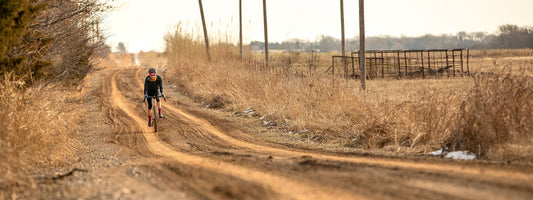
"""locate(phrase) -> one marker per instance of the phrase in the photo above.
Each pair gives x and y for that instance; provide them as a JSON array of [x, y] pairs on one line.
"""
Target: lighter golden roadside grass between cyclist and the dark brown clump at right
[[413, 111]]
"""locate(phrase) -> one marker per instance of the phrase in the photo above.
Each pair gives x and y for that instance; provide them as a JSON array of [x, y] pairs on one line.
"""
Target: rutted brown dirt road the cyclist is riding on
[[200, 155]]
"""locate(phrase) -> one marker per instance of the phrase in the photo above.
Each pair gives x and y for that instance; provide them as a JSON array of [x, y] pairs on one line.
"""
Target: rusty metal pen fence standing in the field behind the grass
[[404, 63]]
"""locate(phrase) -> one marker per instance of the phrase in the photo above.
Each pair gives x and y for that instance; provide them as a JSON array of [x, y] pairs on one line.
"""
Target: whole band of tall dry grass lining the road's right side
[[414, 115]]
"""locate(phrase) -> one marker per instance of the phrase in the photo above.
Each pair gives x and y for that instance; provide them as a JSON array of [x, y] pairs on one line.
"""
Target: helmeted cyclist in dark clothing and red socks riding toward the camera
[[153, 86]]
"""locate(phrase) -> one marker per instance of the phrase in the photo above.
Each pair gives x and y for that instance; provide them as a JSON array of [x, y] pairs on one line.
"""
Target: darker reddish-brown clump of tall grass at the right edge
[[496, 117]]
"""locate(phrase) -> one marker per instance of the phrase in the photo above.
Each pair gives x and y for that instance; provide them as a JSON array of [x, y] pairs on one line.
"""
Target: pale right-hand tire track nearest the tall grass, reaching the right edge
[[478, 171]]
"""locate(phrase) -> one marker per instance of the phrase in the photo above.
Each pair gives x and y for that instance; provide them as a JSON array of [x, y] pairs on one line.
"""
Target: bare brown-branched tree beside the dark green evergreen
[[74, 32]]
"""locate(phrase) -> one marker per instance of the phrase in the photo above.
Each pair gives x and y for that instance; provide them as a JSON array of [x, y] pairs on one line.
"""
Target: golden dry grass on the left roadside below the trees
[[36, 130]]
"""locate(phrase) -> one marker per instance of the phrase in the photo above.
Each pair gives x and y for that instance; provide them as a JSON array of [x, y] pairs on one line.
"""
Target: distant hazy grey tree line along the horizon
[[506, 37]]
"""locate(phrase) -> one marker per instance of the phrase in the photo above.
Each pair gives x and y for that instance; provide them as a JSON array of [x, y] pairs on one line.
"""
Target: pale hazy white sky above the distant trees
[[142, 23]]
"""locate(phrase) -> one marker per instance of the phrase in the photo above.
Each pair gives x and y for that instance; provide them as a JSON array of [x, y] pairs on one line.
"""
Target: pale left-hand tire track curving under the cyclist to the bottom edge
[[284, 186]]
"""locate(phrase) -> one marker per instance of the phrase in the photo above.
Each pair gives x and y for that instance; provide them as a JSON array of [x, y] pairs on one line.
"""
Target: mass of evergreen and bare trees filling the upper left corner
[[50, 39]]
